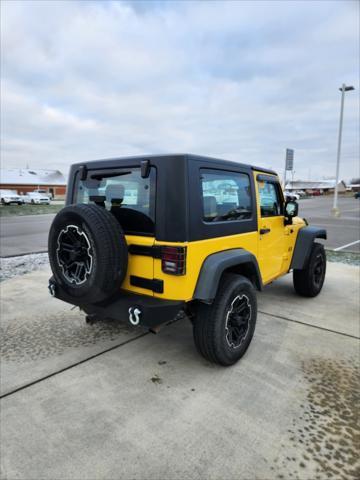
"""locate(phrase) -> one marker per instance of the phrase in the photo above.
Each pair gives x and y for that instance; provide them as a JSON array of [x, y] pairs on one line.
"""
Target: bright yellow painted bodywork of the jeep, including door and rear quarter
[[273, 252]]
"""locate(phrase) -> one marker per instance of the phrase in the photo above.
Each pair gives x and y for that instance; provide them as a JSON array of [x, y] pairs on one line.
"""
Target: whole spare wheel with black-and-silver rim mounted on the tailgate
[[87, 252]]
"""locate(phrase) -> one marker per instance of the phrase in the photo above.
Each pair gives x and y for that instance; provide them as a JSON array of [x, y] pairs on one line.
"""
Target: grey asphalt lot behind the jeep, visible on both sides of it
[[28, 234]]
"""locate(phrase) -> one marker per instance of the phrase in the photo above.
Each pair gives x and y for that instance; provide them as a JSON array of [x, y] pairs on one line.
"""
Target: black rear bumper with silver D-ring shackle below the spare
[[136, 310]]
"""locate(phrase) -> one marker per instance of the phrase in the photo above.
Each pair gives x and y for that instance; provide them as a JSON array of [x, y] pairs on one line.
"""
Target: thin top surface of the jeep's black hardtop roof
[[166, 156]]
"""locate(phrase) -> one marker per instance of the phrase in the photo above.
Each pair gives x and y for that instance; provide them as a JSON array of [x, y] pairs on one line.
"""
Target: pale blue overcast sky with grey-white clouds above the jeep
[[234, 79]]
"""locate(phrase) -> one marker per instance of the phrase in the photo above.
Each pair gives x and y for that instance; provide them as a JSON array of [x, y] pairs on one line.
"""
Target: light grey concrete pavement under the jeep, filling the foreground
[[107, 402]]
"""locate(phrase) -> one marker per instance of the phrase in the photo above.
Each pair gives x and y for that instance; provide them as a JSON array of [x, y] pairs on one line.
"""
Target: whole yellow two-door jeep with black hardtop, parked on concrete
[[142, 239]]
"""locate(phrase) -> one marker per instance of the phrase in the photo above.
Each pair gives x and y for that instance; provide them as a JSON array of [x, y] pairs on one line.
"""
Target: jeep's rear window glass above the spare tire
[[128, 196]]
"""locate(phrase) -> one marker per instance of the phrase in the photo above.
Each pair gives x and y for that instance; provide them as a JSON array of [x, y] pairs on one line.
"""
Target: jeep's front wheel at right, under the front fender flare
[[309, 281]]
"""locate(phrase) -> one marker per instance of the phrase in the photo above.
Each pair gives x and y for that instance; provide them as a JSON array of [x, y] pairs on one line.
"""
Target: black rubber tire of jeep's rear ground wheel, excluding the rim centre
[[209, 326]]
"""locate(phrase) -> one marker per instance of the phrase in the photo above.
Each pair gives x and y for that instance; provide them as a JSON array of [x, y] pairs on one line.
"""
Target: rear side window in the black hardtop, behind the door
[[226, 196]]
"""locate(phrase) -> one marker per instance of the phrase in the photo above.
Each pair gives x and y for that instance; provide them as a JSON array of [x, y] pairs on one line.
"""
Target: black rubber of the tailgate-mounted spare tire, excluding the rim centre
[[107, 246]]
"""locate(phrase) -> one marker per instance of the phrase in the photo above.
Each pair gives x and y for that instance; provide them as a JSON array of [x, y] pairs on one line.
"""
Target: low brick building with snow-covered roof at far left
[[24, 180]]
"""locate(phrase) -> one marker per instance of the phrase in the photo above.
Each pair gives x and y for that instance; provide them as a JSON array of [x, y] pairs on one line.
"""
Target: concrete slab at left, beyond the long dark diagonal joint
[[42, 335]]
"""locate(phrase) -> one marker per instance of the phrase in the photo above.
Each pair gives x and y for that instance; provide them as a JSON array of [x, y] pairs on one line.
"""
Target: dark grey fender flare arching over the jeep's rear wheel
[[215, 265]]
